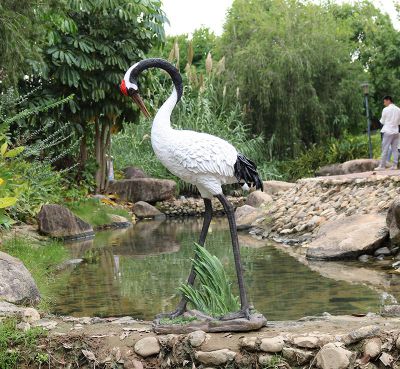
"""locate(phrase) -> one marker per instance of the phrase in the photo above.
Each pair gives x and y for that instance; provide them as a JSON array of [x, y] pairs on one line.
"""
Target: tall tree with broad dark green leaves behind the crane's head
[[90, 46]]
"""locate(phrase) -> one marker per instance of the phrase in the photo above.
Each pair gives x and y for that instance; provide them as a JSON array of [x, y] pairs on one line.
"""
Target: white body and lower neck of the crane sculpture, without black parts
[[201, 159]]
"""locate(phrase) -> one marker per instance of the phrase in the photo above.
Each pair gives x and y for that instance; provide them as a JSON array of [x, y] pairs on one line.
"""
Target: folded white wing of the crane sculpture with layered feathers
[[201, 153]]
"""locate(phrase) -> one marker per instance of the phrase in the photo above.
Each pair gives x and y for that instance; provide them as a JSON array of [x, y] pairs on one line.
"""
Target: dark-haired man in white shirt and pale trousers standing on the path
[[391, 121]]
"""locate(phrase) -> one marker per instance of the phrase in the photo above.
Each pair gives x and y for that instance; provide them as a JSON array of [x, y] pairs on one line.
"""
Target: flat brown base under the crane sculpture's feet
[[208, 324]]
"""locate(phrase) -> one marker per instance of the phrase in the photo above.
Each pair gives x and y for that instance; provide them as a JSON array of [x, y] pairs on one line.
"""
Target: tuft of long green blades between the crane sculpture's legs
[[214, 295]]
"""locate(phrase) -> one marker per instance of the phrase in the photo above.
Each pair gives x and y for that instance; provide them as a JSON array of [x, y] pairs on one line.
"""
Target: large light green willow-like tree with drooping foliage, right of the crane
[[292, 64]]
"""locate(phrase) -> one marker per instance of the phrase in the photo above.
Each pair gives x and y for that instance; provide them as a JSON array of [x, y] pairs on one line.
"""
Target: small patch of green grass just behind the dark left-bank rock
[[94, 212]]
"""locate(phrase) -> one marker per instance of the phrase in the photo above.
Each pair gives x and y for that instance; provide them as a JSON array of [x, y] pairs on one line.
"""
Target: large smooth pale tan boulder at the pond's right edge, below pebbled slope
[[348, 237]]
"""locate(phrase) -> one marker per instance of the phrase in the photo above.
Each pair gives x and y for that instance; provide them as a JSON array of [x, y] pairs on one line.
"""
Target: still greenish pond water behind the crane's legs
[[136, 272]]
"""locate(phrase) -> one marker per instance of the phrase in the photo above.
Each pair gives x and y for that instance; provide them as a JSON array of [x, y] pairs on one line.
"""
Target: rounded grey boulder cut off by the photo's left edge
[[16, 283]]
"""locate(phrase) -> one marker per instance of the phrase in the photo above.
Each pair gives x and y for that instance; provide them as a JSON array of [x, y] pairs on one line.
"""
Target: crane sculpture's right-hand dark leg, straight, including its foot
[[244, 305]]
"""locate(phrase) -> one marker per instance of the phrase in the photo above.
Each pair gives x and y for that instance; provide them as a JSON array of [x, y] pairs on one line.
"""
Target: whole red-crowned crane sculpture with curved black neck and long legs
[[201, 159]]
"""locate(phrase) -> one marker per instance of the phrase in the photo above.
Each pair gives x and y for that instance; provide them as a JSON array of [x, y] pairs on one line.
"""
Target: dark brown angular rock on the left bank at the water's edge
[[59, 222]]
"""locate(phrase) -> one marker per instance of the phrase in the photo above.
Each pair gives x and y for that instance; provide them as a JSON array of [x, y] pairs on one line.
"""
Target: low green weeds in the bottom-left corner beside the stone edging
[[19, 348]]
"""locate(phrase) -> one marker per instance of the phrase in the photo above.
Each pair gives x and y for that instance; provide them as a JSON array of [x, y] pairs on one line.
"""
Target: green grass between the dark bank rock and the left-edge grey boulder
[[40, 260]]
